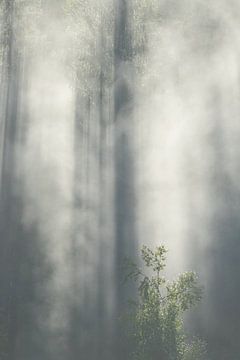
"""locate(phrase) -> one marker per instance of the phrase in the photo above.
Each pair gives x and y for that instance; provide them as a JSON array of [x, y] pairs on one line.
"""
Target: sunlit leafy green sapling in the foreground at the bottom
[[155, 322]]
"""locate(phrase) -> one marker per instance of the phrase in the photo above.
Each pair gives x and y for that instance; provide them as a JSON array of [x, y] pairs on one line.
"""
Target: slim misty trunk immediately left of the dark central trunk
[[105, 231]]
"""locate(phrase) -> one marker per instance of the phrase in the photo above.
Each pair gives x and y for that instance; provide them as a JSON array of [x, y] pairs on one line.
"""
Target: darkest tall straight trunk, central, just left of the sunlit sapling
[[124, 148]]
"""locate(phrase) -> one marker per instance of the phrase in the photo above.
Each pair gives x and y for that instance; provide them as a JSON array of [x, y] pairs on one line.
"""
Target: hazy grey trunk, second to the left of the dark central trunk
[[79, 314]]
